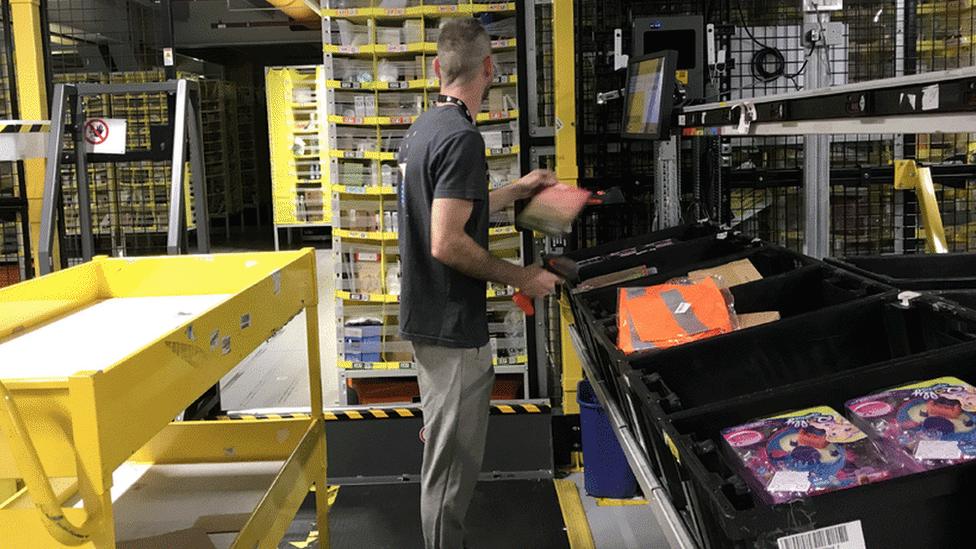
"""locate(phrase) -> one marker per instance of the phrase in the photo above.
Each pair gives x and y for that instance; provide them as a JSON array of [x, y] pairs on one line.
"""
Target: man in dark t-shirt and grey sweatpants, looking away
[[444, 214]]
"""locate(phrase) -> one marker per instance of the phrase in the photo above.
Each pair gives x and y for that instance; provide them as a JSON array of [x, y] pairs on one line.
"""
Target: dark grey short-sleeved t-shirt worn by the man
[[442, 156]]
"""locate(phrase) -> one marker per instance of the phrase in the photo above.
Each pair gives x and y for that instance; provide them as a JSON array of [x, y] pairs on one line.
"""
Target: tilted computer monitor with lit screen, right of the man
[[649, 96]]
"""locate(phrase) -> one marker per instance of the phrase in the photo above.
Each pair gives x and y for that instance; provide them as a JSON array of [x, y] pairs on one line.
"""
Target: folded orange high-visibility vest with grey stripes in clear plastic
[[667, 315]]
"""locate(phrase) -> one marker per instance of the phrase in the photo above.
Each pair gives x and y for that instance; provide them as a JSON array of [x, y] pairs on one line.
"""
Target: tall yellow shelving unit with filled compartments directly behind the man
[[379, 78]]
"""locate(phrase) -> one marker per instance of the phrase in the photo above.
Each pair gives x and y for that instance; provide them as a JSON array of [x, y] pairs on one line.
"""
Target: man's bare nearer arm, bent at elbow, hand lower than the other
[[450, 245]]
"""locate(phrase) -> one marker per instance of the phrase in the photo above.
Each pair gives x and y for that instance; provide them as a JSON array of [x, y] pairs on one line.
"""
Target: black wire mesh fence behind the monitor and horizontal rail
[[763, 184]]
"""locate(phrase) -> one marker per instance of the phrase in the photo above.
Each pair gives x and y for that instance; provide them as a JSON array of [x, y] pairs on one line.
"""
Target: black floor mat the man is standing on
[[503, 514]]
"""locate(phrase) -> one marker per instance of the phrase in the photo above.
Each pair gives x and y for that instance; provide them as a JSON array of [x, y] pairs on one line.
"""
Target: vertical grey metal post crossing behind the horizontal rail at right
[[816, 156]]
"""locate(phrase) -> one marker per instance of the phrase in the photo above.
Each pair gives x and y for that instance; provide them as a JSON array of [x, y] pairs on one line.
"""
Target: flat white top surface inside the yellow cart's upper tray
[[99, 335]]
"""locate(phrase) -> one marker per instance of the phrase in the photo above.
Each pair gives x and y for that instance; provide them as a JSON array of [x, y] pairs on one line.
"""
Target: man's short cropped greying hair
[[462, 47]]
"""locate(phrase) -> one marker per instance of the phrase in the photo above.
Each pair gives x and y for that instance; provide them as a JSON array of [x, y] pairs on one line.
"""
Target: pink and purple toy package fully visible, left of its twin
[[803, 454]]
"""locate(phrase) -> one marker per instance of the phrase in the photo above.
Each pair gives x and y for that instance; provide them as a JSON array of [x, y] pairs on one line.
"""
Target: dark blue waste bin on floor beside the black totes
[[606, 473]]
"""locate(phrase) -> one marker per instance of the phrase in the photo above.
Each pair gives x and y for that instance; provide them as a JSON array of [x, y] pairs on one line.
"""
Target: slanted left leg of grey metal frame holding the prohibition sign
[[52, 180]]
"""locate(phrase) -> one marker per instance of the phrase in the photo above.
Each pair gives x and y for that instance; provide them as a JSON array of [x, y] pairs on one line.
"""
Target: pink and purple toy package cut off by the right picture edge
[[926, 425]]
